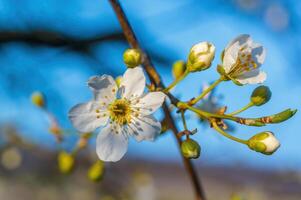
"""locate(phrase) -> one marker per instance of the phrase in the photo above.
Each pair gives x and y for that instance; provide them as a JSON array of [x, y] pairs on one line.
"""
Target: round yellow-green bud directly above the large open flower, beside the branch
[[132, 57]]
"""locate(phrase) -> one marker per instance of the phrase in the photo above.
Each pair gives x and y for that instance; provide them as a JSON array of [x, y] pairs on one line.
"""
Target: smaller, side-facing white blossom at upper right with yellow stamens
[[242, 59]]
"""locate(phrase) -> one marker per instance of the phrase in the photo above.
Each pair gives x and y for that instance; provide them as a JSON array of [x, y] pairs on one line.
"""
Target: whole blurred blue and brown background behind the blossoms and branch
[[54, 46]]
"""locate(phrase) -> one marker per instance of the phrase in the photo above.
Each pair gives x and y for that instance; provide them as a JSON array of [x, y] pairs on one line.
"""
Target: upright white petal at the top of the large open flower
[[133, 83]]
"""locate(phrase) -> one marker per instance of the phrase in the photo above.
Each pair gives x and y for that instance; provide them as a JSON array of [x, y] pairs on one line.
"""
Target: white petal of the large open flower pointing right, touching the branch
[[150, 102]]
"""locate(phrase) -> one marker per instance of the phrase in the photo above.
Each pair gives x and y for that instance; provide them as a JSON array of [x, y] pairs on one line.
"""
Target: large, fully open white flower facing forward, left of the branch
[[121, 112]]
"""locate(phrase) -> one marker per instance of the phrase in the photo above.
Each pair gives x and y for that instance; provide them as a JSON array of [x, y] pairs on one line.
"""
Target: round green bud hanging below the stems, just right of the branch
[[190, 149]]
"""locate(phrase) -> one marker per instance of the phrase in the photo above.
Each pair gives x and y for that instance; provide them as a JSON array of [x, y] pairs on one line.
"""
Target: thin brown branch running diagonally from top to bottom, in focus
[[155, 79]]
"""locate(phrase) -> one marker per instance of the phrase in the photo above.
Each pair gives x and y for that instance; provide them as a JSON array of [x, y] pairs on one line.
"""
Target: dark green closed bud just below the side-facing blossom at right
[[261, 95]]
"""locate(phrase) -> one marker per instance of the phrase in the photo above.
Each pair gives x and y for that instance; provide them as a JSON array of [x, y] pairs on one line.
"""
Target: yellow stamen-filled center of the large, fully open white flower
[[120, 111]]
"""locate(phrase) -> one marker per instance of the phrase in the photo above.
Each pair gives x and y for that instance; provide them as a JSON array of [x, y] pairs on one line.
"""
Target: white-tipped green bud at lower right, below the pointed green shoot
[[264, 142]]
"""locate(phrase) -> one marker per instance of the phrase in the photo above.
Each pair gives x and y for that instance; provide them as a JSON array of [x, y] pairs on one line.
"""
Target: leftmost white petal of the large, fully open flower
[[84, 117]]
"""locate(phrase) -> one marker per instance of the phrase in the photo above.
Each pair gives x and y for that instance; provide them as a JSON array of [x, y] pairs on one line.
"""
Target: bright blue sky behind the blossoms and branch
[[167, 28]]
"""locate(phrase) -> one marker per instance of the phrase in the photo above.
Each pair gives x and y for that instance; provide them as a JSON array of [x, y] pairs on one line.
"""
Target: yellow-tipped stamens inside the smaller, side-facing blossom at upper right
[[244, 62]]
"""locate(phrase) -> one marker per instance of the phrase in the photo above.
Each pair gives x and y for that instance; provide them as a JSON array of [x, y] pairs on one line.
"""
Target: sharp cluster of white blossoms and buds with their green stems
[[122, 109]]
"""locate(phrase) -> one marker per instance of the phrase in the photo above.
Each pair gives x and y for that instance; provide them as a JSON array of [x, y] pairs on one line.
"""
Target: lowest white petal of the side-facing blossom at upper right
[[252, 77]]
